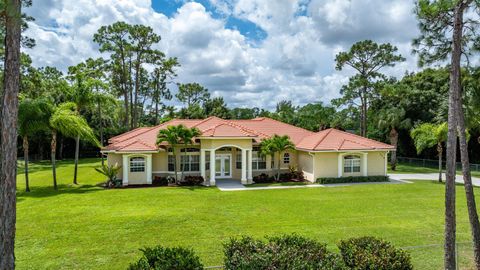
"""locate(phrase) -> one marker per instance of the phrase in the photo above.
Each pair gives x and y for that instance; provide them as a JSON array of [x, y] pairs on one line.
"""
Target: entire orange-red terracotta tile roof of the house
[[144, 139]]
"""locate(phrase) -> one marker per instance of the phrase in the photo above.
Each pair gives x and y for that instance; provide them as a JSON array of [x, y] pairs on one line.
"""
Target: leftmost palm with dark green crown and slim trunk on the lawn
[[32, 118]]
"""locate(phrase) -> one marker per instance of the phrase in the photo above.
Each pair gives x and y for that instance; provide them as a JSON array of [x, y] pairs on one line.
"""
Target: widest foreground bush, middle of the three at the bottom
[[284, 252]]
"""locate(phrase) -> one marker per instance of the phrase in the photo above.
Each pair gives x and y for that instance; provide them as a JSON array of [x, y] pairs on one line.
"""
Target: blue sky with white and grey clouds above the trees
[[251, 52]]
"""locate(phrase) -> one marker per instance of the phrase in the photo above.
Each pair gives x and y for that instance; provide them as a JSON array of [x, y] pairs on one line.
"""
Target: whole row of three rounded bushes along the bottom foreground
[[283, 253]]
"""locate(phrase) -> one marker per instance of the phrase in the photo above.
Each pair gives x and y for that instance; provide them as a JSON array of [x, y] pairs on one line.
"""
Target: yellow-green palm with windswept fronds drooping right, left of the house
[[66, 120]]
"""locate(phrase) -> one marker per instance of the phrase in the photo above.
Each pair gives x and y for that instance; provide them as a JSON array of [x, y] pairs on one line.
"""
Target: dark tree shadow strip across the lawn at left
[[44, 191]]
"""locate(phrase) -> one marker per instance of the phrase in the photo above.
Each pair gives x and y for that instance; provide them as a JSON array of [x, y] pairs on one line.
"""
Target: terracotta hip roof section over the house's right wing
[[336, 140]]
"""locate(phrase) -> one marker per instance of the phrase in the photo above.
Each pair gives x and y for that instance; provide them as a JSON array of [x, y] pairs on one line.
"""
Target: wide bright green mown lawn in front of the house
[[87, 227]]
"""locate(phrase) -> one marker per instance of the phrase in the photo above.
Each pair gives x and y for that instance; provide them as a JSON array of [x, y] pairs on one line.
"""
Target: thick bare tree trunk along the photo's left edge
[[8, 128]]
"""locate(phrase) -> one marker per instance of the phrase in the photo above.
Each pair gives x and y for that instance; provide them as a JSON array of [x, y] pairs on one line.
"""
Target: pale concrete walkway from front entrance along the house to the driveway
[[235, 185]]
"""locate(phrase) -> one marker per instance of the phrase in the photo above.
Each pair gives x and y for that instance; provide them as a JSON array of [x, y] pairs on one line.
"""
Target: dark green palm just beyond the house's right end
[[393, 118]]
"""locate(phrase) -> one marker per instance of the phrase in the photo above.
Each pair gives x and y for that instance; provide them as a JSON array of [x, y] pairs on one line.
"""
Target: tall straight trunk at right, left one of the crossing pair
[[450, 219]]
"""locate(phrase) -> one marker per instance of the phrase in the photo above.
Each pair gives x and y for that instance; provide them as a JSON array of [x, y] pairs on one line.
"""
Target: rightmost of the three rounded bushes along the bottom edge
[[372, 253]]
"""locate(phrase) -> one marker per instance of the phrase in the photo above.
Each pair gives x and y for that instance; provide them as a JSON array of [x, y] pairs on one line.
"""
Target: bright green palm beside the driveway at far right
[[428, 135]]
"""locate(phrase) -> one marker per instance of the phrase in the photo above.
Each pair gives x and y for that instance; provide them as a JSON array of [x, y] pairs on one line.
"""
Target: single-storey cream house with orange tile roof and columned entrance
[[233, 145]]
